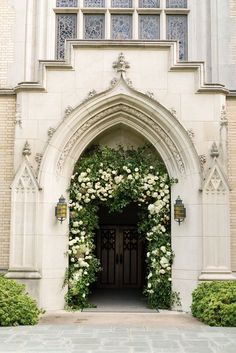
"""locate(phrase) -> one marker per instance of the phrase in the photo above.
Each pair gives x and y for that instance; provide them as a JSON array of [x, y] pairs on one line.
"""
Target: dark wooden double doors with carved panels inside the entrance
[[120, 252]]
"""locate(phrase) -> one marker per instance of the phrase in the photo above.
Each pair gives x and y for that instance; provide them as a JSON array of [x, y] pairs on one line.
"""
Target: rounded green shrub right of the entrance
[[214, 303]]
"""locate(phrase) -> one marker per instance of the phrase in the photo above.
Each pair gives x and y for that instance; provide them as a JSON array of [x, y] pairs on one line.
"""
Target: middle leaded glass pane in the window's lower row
[[121, 26]]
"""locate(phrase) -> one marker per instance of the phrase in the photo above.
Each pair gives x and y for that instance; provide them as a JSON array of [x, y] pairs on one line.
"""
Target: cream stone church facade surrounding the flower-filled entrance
[[115, 92]]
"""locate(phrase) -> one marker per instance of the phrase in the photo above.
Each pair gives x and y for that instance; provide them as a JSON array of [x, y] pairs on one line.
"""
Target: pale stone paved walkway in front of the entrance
[[118, 333]]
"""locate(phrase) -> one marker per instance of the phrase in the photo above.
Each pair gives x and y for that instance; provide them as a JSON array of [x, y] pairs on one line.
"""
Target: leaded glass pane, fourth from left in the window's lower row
[[149, 27]]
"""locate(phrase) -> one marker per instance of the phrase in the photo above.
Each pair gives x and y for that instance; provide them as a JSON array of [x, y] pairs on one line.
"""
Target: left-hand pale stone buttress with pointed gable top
[[25, 192]]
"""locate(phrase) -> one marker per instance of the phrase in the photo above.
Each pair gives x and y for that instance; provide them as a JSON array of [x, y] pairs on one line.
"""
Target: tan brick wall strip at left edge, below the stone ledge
[[7, 114]]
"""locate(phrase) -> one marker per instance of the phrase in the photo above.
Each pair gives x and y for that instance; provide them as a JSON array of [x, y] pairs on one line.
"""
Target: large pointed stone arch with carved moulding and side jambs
[[121, 104]]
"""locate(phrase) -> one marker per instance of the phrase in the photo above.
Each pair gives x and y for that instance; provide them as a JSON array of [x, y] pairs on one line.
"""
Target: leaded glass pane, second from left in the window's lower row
[[94, 26]]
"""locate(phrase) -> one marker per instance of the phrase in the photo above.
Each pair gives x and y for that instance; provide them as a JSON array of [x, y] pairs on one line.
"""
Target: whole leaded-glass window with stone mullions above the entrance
[[146, 23]]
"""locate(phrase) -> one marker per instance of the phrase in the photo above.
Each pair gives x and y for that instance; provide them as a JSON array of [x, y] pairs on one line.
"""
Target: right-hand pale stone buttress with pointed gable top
[[216, 225]]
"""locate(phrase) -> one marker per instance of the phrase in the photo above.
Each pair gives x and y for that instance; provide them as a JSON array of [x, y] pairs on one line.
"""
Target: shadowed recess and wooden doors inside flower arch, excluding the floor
[[120, 249]]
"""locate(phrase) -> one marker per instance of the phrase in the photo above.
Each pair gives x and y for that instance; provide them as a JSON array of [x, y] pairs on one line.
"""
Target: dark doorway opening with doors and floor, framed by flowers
[[121, 251]]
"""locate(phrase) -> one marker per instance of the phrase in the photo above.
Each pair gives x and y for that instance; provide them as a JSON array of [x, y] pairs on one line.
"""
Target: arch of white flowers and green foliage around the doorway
[[117, 177]]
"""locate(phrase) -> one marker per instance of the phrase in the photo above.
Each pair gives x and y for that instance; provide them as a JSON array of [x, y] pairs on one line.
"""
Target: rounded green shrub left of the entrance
[[16, 306]]
